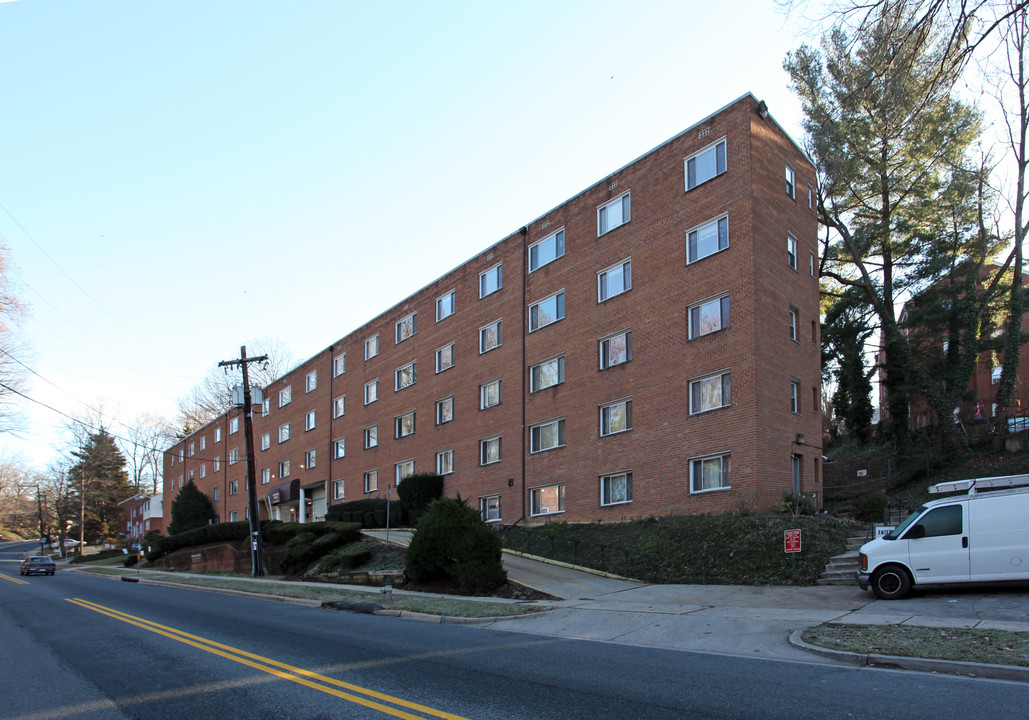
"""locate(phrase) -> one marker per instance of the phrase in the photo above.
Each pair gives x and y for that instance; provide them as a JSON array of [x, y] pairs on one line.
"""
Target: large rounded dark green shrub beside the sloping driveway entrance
[[452, 542]]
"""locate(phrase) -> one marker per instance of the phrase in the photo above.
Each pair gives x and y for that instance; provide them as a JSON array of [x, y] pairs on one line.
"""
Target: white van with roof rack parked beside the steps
[[978, 537]]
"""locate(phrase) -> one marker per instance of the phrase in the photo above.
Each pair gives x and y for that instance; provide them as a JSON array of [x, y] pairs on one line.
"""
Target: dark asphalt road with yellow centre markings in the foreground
[[78, 646]]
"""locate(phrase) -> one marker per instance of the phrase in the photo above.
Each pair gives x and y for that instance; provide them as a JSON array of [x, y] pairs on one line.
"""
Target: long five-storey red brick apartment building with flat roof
[[650, 347]]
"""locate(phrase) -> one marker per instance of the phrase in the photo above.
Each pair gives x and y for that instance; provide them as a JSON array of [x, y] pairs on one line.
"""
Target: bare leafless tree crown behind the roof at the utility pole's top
[[214, 395]]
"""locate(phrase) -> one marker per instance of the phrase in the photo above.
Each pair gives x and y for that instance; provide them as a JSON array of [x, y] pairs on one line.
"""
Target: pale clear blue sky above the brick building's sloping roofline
[[180, 178]]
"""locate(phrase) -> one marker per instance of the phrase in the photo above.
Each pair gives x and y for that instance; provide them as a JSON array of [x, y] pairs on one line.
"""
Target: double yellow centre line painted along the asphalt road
[[332, 687]]
